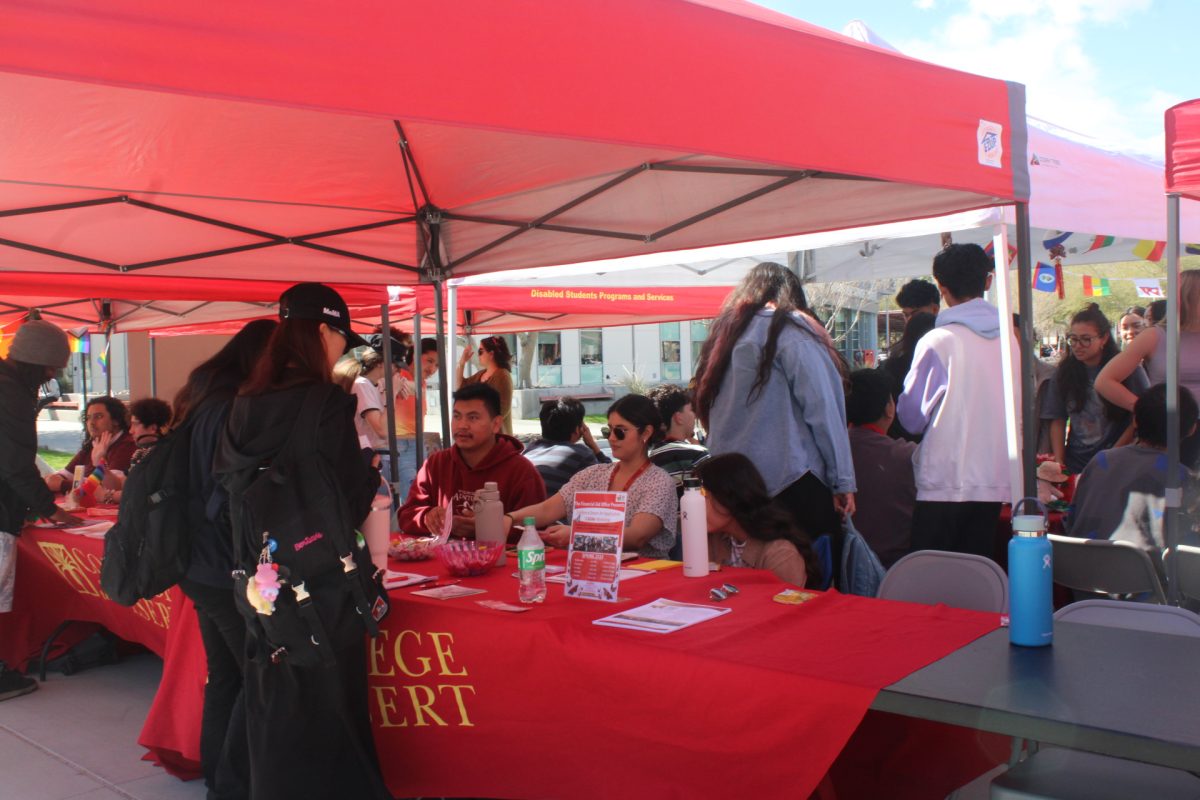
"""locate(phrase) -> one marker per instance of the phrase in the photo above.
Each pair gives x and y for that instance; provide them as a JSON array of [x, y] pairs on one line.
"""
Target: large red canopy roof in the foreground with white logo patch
[[344, 142]]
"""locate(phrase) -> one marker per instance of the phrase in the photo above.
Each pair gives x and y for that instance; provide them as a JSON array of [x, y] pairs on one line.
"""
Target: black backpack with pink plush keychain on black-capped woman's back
[[293, 516]]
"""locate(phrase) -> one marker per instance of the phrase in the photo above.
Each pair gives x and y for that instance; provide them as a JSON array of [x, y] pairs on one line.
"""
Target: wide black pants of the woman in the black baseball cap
[[310, 727]]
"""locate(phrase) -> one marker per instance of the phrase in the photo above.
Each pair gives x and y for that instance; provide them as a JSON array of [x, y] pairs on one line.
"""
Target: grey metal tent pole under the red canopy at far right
[[1174, 480]]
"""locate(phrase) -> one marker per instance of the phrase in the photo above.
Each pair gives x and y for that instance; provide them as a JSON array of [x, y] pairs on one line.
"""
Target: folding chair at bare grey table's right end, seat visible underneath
[[1063, 774]]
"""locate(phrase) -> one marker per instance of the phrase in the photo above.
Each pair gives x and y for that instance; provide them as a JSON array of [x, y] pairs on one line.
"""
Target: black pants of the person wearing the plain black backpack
[[225, 757]]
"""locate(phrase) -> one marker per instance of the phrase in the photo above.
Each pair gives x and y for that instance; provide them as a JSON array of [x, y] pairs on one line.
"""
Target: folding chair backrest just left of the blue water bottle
[[958, 580]]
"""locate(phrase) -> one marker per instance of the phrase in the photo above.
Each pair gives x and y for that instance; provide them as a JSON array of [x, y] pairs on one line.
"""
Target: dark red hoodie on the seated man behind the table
[[446, 476]]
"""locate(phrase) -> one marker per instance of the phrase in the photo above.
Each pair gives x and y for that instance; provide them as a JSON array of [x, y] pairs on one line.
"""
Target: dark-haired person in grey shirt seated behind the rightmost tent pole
[[1120, 496]]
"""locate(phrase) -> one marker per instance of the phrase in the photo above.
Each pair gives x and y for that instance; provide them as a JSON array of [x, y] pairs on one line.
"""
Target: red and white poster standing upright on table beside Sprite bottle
[[598, 531]]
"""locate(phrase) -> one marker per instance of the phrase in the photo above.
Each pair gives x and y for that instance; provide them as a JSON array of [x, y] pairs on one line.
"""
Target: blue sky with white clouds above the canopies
[[1105, 69]]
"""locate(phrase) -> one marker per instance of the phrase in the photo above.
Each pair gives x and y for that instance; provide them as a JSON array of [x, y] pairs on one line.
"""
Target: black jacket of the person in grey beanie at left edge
[[22, 489]]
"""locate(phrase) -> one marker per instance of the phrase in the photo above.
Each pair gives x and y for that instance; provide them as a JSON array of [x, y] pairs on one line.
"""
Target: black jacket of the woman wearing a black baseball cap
[[260, 426]]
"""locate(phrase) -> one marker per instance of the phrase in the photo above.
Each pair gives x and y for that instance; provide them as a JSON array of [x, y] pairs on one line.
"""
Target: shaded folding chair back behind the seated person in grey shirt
[[1106, 568]]
